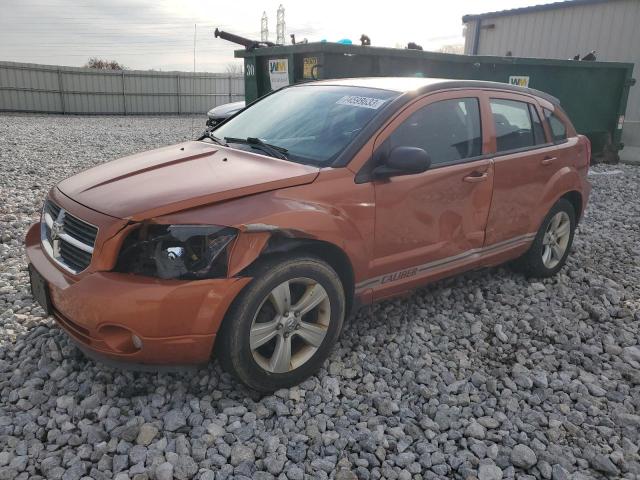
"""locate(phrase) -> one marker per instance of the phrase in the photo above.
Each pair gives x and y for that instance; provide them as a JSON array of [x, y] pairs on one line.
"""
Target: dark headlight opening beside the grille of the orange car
[[176, 251]]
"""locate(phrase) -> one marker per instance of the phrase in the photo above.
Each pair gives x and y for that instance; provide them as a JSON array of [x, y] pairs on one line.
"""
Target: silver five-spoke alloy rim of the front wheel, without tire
[[290, 325]]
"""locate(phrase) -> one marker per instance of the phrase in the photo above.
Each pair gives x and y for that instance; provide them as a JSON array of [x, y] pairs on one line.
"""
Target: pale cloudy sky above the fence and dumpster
[[159, 34]]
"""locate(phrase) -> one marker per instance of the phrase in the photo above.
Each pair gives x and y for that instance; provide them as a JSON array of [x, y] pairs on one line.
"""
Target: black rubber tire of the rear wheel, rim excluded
[[531, 263]]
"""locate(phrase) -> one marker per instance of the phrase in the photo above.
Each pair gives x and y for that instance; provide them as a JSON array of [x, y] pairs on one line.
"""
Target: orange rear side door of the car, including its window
[[525, 161]]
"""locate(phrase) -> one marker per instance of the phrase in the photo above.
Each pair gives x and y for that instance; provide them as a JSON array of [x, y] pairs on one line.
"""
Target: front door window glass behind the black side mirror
[[448, 130]]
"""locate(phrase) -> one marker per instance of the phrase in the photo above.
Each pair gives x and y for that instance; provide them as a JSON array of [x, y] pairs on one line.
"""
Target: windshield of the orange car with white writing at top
[[314, 123]]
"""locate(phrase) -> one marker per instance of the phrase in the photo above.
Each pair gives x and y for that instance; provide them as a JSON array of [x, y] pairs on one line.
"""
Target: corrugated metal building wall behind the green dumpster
[[611, 28]]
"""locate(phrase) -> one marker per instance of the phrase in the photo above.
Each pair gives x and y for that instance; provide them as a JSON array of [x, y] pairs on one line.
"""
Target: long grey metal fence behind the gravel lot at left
[[27, 87]]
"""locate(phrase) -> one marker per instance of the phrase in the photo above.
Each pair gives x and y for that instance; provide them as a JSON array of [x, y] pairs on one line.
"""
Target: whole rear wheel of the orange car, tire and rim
[[550, 249]]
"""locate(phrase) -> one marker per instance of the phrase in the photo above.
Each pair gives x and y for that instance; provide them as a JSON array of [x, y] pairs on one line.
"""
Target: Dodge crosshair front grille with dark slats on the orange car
[[66, 238]]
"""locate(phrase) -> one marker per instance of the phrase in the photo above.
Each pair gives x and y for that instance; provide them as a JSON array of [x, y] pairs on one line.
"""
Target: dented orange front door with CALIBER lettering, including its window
[[432, 222]]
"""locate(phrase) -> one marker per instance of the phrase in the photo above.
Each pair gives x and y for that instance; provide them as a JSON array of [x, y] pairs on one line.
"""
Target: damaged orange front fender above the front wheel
[[333, 210]]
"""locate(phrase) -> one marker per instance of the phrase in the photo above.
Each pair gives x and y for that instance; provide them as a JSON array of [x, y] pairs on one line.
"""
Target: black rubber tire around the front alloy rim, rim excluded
[[233, 344]]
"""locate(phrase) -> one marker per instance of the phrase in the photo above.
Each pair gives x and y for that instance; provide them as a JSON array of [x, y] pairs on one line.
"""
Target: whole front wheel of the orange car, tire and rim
[[282, 327]]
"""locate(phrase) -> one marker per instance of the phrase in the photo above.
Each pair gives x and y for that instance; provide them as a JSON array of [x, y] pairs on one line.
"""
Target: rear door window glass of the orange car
[[513, 124]]
